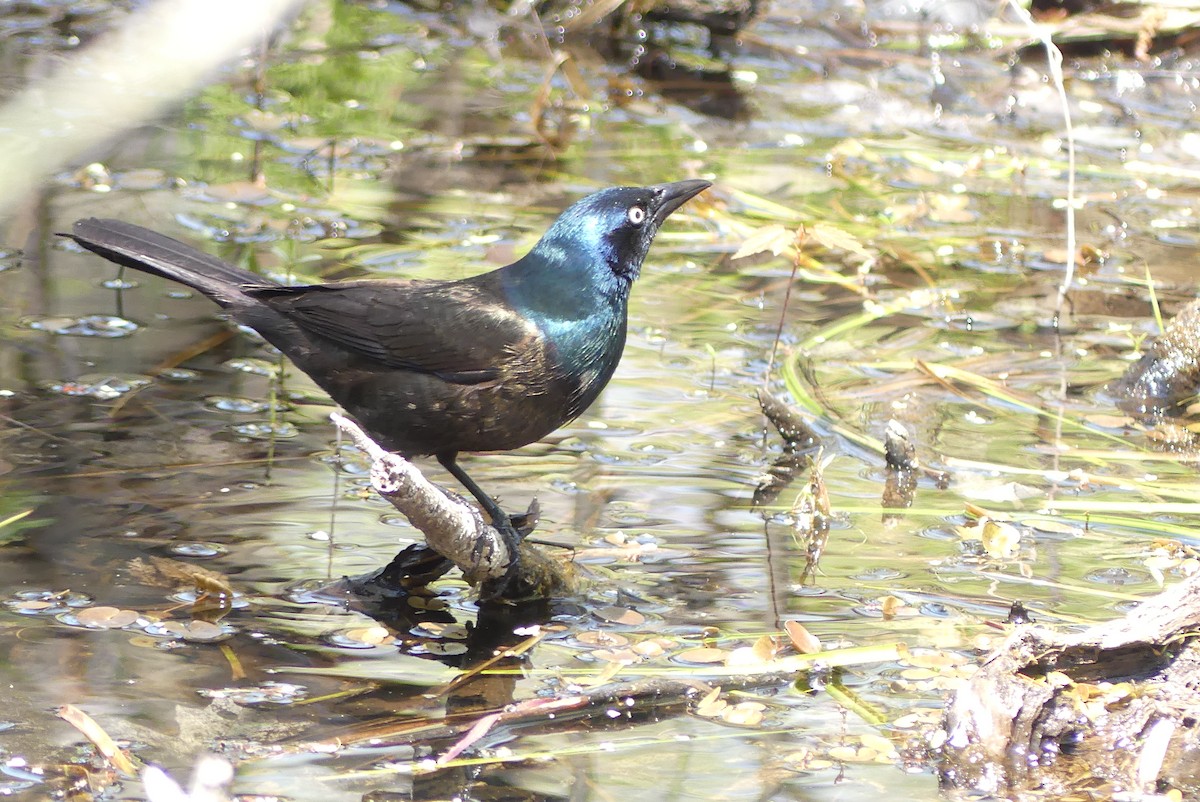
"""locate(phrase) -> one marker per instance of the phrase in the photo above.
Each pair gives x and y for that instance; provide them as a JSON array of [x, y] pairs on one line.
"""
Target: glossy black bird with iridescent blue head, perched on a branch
[[435, 368]]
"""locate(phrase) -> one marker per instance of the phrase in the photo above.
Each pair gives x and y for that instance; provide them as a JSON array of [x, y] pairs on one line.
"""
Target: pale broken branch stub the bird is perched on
[[452, 526]]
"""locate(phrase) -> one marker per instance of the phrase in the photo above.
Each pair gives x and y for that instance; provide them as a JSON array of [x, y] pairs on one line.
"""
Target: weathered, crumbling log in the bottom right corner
[[1112, 710]]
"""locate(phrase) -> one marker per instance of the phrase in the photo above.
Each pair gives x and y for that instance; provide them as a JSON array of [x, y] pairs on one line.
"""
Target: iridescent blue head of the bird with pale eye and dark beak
[[614, 229]]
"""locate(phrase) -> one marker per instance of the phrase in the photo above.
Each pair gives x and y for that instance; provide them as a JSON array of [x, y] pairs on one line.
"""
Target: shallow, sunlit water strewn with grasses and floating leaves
[[140, 427]]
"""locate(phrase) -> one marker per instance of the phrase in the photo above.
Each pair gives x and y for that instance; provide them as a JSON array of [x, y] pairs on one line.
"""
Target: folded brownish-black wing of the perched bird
[[451, 331]]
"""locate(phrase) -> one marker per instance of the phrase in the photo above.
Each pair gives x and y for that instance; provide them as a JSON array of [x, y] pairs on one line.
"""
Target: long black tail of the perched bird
[[142, 249]]
